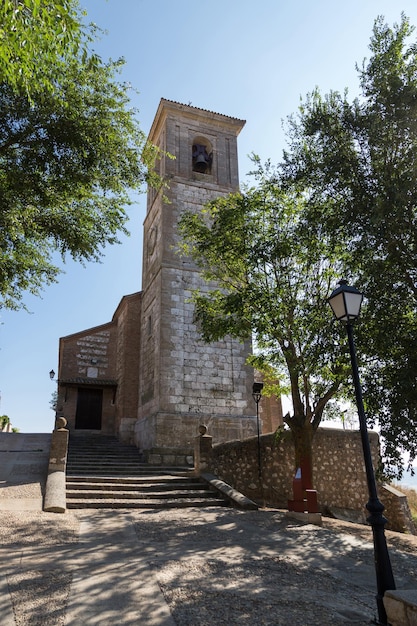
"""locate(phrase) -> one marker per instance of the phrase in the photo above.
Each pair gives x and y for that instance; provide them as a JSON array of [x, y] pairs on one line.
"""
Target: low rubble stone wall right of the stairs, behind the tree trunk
[[338, 473]]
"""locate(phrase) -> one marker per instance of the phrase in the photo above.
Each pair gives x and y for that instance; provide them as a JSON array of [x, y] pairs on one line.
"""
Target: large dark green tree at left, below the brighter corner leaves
[[69, 158]]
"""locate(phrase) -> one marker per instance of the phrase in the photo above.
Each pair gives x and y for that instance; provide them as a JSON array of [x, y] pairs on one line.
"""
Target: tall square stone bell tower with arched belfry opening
[[185, 382]]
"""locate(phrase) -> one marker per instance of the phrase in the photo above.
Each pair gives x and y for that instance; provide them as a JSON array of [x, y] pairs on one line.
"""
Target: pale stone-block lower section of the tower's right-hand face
[[199, 378]]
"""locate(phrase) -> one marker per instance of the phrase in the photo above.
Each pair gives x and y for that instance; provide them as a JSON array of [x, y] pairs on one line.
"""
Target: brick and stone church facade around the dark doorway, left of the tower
[[104, 357]]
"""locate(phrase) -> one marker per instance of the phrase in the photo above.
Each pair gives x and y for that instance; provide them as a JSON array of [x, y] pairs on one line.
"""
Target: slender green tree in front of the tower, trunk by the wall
[[269, 278]]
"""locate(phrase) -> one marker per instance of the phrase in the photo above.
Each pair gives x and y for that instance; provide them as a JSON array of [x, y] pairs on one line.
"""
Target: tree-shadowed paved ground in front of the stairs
[[199, 567]]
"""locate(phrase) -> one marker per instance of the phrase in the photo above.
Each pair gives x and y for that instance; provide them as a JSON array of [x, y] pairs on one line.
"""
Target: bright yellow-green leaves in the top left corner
[[36, 37]]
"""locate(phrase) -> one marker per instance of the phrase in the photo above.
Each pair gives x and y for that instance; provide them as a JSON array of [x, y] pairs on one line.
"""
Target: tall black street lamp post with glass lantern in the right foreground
[[345, 302]]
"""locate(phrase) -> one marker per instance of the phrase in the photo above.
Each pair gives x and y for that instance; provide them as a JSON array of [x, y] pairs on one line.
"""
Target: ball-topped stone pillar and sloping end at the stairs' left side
[[55, 498]]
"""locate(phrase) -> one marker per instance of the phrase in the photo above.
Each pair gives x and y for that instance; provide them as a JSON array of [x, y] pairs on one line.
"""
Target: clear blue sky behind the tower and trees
[[248, 59]]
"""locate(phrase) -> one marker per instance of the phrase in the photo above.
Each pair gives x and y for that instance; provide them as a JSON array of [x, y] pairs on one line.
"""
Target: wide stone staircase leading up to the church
[[103, 473]]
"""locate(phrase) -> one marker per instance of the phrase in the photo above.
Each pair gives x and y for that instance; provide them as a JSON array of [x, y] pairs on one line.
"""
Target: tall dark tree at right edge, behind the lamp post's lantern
[[358, 161]]
